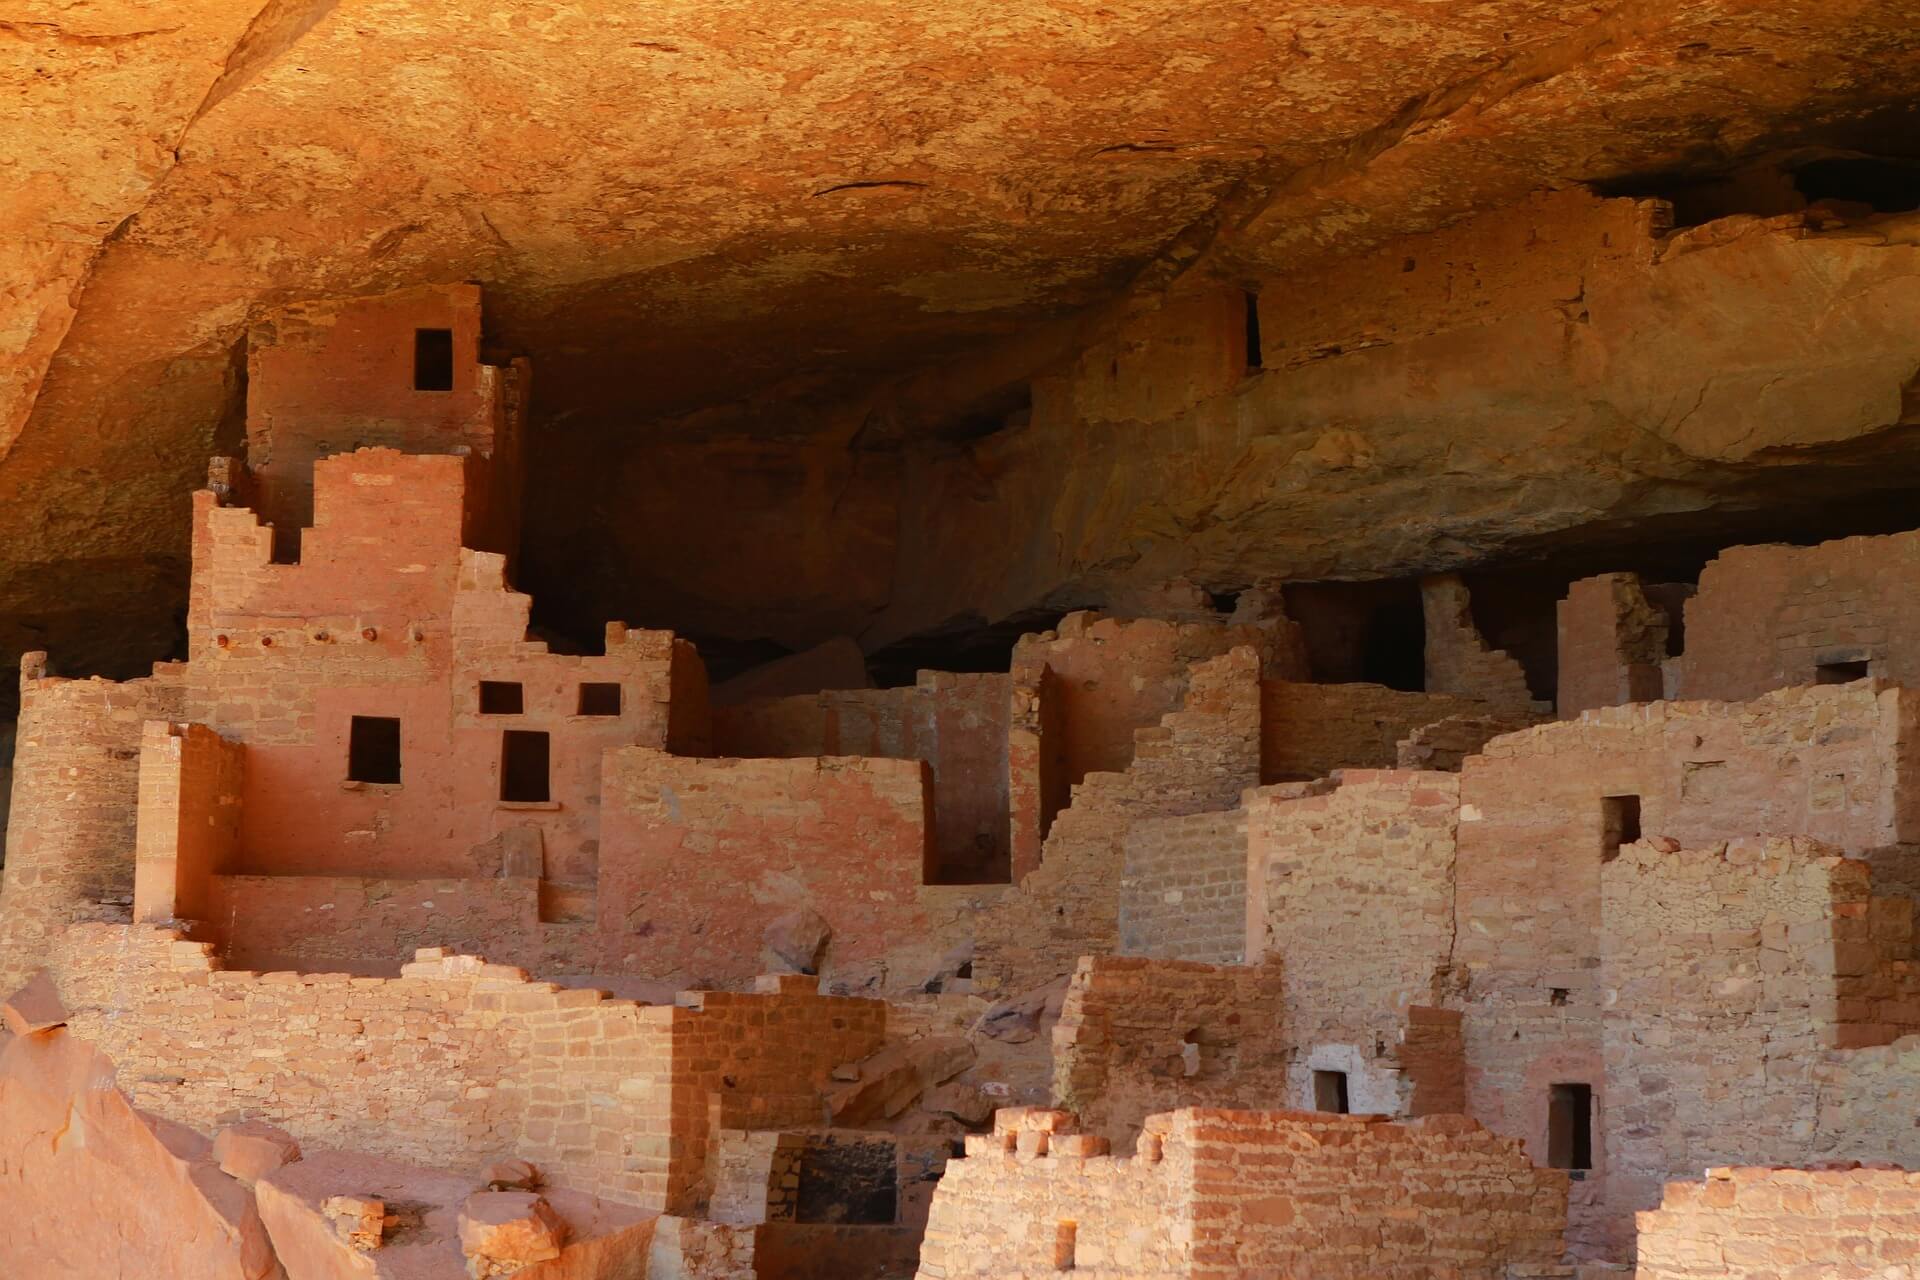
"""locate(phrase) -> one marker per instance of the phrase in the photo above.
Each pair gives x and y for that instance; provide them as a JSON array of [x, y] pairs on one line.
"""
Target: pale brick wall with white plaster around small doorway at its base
[[1351, 889]]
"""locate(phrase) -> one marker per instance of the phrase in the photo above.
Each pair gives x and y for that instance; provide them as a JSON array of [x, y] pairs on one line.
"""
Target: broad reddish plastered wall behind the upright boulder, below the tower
[[702, 855]]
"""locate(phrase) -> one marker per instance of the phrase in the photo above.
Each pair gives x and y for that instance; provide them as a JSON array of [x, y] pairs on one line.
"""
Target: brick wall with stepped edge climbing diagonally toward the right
[[1197, 761]]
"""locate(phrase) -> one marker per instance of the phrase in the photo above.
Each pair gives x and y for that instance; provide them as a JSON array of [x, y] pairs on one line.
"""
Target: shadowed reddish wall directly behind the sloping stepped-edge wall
[[1113, 678]]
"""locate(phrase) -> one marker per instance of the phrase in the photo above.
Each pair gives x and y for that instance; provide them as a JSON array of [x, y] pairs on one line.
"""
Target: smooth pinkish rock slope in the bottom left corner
[[95, 1189]]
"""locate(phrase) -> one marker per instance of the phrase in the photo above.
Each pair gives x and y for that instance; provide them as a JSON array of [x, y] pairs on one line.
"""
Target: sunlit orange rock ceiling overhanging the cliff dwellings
[[679, 206]]
